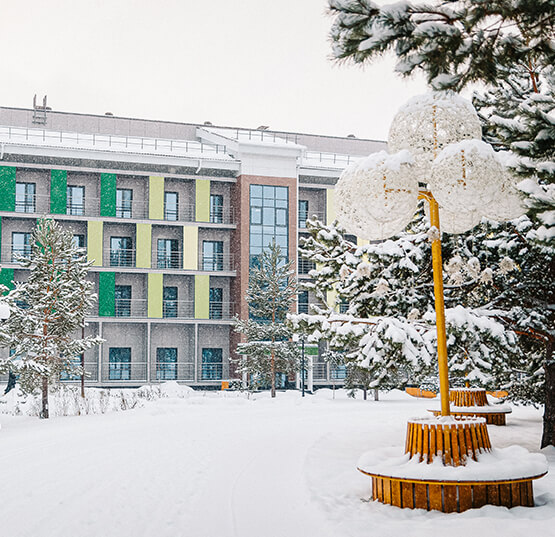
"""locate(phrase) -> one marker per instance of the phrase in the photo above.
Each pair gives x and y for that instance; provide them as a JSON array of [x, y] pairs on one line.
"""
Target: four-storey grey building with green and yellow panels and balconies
[[171, 216]]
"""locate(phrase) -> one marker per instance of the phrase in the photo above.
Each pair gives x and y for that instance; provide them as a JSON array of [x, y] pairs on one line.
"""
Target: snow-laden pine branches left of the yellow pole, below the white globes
[[381, 284]]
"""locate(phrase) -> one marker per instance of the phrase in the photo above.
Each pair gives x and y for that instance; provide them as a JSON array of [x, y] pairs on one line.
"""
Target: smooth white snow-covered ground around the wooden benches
[[219, 464]]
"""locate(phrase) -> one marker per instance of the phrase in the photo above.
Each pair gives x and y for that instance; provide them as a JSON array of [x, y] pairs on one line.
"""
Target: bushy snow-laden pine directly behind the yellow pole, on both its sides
[[389, 328]]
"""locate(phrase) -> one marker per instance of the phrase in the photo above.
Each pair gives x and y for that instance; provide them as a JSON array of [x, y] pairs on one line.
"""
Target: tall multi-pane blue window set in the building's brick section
[[269, 206]]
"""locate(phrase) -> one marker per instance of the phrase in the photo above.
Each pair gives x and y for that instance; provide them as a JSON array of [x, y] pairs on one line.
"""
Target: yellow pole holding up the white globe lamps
[[440, 307]]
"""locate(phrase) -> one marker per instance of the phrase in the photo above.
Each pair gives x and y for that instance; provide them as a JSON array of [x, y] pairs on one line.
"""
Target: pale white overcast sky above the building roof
[[232, 62]]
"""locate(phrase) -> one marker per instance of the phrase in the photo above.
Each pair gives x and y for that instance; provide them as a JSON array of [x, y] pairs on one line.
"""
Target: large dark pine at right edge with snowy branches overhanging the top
[[507, 46]]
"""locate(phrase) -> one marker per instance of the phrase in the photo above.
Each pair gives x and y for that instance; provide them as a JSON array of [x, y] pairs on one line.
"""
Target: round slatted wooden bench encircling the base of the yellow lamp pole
[[455, 441]]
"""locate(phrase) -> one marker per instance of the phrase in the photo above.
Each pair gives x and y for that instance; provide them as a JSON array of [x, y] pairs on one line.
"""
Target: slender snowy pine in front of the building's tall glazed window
[[269, 348]]
